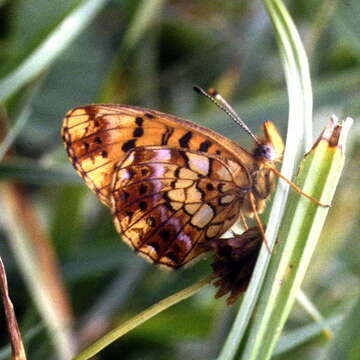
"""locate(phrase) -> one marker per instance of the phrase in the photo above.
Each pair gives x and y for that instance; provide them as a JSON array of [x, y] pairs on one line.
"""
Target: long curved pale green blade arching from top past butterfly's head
[[300, 115]]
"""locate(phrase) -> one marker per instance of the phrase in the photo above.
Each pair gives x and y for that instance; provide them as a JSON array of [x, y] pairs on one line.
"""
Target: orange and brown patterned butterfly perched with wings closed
[[171, 184]]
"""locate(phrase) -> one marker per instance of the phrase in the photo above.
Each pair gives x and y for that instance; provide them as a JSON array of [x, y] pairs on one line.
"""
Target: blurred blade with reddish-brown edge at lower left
[[18, 216]]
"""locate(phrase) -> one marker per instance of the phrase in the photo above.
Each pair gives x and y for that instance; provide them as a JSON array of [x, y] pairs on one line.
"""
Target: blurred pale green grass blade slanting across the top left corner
[[51, 48]]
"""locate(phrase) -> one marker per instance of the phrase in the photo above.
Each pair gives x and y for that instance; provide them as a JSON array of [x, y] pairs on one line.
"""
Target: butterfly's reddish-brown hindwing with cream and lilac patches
[[166, 201]]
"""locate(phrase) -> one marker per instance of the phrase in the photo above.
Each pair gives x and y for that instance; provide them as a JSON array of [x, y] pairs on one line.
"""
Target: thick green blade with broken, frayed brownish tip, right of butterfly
[[319, 175]]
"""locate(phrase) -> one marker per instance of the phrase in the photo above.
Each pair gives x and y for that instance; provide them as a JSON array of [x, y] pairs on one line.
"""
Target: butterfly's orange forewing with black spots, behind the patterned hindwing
[[98, 137]]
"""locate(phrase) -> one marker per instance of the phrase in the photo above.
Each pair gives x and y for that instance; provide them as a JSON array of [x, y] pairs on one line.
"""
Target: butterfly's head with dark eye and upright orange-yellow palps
[[271, 147]]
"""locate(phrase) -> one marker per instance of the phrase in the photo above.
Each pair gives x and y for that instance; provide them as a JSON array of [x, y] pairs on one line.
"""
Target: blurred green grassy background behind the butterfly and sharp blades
[[70, 277]]
